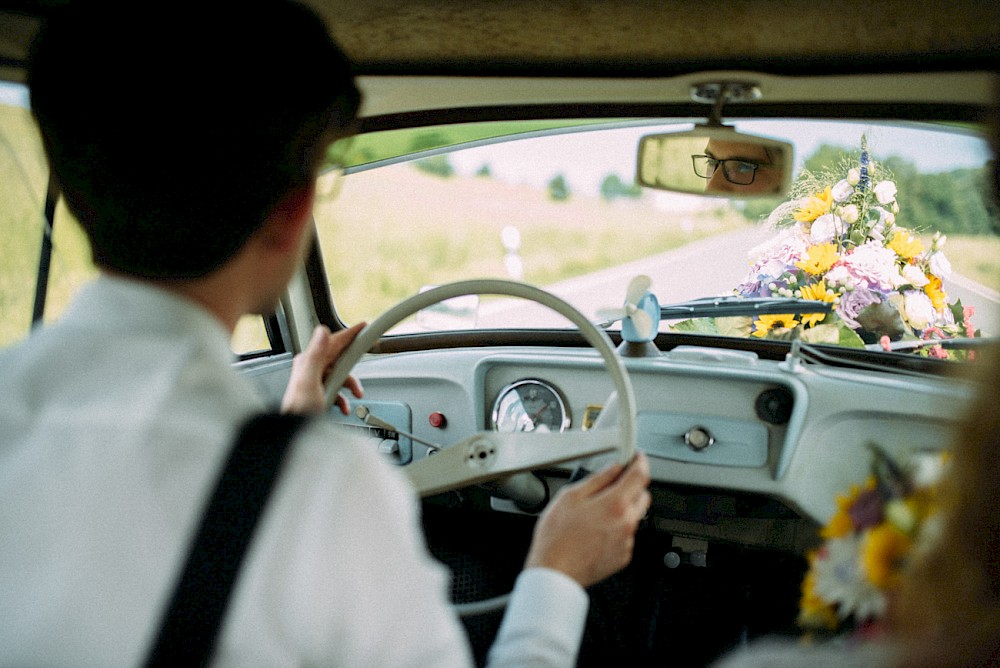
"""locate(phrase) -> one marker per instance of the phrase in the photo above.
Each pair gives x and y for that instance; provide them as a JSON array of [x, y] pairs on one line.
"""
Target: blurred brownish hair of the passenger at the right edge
[[947, 612]]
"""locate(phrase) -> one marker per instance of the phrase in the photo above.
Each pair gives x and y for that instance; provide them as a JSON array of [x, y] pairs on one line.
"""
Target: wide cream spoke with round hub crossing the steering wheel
[[488, 455]]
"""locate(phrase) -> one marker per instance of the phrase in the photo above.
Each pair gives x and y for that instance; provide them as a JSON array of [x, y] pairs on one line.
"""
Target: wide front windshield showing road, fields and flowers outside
[[889, 227]]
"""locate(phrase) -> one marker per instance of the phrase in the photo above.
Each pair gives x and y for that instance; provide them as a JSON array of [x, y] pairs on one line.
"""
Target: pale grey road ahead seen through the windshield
[[719, 262]]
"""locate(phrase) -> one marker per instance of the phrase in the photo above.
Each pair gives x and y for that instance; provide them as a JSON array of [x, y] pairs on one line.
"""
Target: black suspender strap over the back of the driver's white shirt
[[190, 626]]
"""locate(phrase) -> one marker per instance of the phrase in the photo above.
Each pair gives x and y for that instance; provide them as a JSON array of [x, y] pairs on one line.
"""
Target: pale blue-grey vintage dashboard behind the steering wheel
[[741, 449]]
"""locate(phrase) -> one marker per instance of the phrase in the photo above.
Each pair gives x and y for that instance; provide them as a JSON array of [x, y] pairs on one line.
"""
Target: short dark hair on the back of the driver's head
[[174, 128]]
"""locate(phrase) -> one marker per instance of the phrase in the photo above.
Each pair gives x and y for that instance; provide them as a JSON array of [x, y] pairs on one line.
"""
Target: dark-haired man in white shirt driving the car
[[187, 145]]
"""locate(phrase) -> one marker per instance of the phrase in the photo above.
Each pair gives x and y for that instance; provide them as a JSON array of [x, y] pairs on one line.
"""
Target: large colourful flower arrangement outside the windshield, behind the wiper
[[838, 240]]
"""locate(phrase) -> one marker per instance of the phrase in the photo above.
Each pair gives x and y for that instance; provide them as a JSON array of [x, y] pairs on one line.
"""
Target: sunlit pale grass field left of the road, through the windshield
[[389, 233]]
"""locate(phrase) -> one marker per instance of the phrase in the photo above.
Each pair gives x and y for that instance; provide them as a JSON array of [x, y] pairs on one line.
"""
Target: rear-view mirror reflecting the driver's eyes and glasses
[[716, 161]]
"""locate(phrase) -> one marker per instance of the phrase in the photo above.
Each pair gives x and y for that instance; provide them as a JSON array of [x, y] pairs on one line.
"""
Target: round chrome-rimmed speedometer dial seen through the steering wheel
[[530, 405]]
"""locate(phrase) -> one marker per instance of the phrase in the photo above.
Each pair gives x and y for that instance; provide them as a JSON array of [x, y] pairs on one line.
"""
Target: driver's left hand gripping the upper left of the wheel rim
[[306, 392]]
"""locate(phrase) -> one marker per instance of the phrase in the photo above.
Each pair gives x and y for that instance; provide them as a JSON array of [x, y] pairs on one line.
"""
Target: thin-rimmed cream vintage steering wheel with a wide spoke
[[488, 455]]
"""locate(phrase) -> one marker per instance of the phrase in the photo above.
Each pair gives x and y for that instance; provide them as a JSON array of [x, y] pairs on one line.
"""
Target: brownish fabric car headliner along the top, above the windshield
[[614, 38]]
